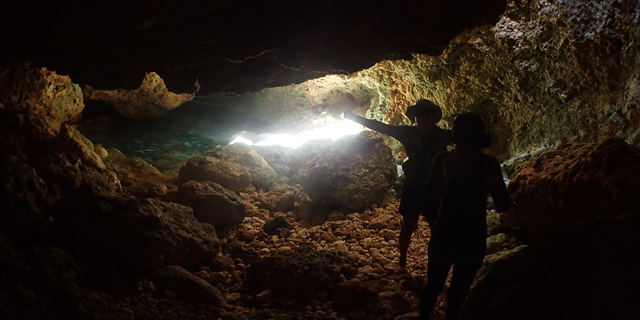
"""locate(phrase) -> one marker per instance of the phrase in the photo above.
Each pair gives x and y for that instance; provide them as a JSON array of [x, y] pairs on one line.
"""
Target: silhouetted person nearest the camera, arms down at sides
[[460, 182]]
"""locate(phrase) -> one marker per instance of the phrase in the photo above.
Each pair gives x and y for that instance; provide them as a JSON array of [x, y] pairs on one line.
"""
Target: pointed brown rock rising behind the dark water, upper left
[[152, 99]]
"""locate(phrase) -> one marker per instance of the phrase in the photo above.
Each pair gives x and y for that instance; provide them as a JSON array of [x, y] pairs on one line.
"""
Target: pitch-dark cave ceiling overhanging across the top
[[228, 46]]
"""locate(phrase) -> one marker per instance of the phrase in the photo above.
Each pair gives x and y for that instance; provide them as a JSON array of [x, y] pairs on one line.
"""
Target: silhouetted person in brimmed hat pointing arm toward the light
[[421, 143]]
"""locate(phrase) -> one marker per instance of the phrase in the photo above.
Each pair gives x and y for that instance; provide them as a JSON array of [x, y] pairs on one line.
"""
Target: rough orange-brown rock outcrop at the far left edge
[[43, 99]]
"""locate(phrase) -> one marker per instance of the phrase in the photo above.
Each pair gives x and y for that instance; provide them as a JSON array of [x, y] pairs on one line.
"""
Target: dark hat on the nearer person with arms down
[[468, 129]]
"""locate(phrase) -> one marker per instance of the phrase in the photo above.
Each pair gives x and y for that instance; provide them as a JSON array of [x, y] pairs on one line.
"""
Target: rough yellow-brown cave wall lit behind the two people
[[547, 72]]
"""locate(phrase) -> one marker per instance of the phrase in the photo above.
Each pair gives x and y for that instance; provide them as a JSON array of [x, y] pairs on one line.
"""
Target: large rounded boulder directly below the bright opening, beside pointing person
[[356, 173]]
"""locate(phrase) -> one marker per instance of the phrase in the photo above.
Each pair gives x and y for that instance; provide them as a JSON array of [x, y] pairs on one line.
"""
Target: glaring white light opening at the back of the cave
[[333, 131]]
